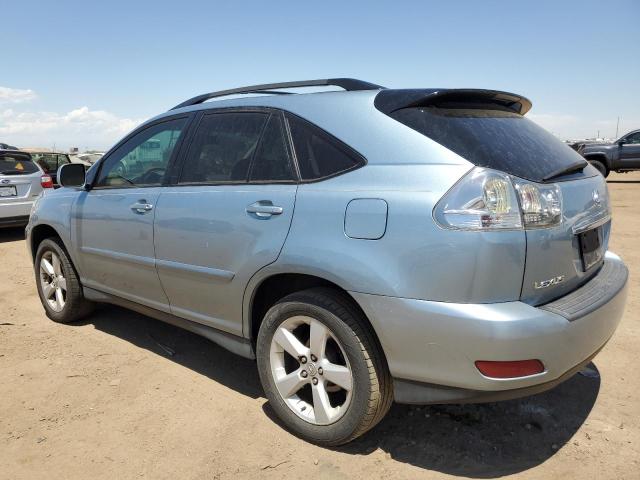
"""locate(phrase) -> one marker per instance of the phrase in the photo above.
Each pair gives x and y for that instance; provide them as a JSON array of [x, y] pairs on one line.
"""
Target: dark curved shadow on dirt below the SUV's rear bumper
[[484, 440]]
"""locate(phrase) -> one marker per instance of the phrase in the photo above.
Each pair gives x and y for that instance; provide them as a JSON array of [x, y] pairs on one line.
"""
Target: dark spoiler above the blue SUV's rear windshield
[[388, 101]]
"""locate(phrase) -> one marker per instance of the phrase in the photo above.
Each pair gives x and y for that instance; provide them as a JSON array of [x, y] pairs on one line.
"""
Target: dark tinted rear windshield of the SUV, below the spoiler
[[496, 139]]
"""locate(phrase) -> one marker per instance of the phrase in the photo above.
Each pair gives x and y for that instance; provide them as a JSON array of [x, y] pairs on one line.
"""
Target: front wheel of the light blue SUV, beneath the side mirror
[[58, 284]]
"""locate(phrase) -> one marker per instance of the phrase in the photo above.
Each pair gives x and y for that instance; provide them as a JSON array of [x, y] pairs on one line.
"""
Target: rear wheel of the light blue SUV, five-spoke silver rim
[[321, 368]]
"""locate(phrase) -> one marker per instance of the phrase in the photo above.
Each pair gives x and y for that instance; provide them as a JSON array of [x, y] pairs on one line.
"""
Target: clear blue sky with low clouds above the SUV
[[84, 73]]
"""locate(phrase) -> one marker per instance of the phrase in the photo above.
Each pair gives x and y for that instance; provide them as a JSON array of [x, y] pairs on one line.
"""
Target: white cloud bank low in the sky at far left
[[81, 127]]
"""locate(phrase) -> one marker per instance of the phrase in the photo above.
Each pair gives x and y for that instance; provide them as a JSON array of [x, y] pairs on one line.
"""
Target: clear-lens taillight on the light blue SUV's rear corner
[[487, 199]]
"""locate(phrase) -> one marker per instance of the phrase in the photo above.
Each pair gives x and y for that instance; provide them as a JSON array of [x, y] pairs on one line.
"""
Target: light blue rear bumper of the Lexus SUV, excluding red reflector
[[431, 347]]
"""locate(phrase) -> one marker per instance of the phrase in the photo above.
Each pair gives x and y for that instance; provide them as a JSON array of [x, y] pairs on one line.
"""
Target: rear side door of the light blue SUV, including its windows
[[227, 215]]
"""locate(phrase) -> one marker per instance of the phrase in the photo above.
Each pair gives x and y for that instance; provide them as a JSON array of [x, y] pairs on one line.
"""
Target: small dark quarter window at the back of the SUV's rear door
[[271, 161]]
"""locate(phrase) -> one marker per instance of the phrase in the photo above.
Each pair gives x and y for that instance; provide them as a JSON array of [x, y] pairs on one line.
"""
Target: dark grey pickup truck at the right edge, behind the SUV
[[623, 155]]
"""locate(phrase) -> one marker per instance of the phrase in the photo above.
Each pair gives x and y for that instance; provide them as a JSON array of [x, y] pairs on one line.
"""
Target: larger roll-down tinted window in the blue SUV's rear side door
[[223, 147]]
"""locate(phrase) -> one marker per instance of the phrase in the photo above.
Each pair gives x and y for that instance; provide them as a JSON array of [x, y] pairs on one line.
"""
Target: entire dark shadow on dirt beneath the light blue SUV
[[480, 441]]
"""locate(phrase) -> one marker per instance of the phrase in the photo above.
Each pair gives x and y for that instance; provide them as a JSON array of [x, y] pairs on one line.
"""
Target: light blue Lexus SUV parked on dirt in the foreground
[[365, 246]]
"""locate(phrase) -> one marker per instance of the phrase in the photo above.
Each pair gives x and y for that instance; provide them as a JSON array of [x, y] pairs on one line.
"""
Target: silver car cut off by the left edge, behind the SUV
[[21, 181]]
